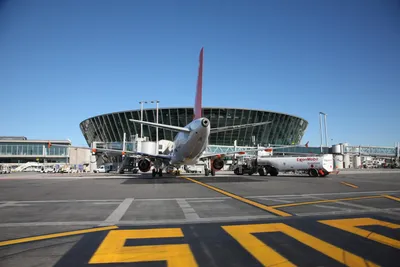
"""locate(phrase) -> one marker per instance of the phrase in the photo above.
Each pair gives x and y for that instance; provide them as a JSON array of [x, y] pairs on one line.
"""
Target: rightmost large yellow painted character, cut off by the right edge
[[350, 225]]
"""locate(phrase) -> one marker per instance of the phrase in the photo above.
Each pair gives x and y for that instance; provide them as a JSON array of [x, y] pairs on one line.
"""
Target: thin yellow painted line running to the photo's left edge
[[50, 236]]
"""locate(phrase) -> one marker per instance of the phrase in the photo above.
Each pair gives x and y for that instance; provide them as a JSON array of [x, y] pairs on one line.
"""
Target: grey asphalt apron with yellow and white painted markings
[[136, 220]]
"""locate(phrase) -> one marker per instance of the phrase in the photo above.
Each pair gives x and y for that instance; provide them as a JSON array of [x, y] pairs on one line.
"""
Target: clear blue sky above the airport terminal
[[64, 61]]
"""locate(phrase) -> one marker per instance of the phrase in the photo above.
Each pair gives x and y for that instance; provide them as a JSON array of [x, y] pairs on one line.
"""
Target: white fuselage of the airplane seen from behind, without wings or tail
[[188, 147]]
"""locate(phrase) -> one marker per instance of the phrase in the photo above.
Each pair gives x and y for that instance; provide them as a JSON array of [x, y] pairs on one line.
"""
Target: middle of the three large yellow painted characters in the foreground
[[268, 257]]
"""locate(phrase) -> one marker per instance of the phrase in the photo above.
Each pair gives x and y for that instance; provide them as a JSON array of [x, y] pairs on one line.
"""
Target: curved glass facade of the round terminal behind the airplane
[[284, 129]]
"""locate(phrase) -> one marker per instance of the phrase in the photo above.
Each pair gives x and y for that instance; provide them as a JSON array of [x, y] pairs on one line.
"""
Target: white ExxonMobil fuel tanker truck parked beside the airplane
[[312, 165]]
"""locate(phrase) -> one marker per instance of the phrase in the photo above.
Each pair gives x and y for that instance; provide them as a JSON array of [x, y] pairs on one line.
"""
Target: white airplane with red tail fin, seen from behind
[[191, 141]]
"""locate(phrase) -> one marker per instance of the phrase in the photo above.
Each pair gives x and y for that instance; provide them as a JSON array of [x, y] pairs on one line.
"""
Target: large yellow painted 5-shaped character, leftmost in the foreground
[[113, 249]]
